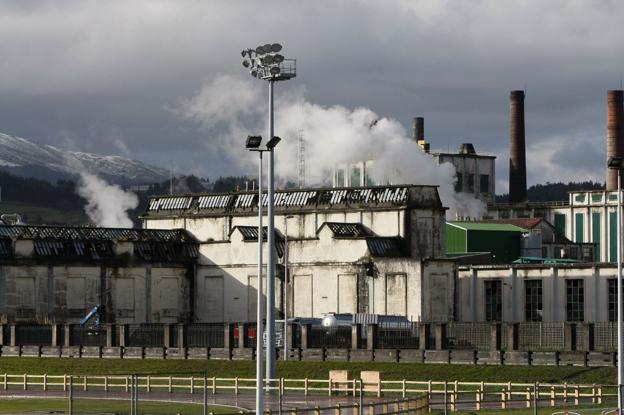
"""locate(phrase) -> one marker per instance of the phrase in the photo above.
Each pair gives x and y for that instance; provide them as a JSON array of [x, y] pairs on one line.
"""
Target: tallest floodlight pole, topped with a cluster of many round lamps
[[265, 63]]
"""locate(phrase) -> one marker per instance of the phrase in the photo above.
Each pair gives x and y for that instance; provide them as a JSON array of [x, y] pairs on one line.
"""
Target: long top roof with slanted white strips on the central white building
[[365, 196]]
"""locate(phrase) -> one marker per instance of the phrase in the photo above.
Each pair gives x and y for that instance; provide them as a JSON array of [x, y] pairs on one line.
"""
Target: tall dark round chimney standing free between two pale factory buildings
[[517, 157]]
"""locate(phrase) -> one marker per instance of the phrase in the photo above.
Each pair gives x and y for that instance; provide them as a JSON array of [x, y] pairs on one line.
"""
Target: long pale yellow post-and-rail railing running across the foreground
[[474, 395]]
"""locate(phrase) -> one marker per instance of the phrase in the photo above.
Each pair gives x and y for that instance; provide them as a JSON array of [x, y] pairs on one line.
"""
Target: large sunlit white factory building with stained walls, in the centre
[[369, 250]]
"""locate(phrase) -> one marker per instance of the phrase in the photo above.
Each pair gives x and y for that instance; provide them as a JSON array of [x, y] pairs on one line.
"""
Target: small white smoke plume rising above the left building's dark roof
[[107, 204]]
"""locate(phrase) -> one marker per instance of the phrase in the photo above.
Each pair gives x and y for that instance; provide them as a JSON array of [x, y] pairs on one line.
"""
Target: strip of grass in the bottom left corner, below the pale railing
[[87, 406]]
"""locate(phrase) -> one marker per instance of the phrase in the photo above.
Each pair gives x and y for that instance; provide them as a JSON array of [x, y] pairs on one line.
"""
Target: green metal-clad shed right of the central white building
[[503, 241]]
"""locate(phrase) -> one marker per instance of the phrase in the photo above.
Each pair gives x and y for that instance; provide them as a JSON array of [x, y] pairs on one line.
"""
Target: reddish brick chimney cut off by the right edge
[[615, 132]]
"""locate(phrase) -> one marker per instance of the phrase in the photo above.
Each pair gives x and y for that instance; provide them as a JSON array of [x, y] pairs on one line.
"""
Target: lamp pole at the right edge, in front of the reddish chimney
[[618, 164]]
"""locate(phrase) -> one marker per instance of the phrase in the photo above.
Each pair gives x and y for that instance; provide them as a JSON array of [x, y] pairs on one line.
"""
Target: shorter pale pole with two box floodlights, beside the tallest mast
[[253, 142]]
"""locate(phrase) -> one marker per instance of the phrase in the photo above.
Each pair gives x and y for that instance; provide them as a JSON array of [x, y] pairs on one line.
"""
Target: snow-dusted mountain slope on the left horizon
[[26, 158]]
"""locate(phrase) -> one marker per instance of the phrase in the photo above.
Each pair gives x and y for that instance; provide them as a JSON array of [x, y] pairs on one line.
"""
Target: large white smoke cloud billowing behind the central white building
[[230, 109]]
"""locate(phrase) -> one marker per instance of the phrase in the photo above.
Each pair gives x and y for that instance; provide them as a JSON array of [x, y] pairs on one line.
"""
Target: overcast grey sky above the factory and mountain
[[107, 76]]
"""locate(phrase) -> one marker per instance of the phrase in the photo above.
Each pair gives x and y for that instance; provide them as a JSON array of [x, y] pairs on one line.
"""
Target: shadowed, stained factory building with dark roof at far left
[[56, 274]]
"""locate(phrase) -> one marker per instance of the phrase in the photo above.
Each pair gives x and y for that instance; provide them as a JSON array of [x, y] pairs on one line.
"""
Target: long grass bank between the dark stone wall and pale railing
[[312, 370]]
